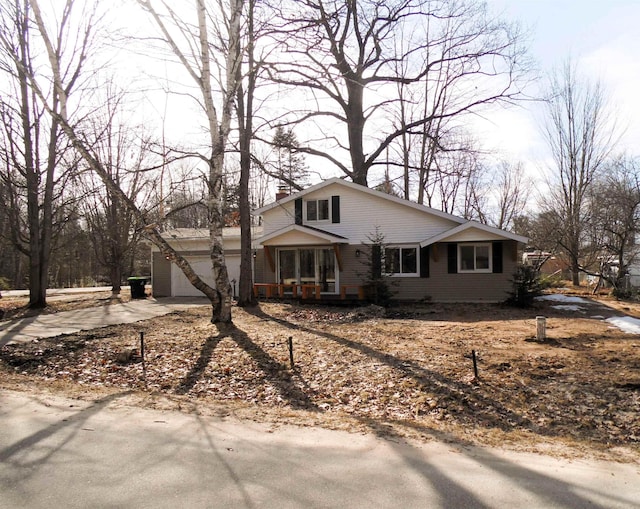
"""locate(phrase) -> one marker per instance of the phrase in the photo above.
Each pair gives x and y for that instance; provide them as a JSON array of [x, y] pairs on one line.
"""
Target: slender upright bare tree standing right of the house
[[581, 135]]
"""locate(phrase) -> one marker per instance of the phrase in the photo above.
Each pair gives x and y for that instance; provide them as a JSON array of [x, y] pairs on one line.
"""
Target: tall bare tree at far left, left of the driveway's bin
[[35, 154]]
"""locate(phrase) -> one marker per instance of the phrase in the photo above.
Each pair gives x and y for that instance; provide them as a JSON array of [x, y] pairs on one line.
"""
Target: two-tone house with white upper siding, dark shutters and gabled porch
[[313, 242]]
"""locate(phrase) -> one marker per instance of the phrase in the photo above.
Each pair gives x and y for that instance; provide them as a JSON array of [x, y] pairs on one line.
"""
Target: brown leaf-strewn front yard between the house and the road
[[405, 373]]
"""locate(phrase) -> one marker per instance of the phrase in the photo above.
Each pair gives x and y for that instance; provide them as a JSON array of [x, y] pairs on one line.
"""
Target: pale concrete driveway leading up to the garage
[[68, 322]]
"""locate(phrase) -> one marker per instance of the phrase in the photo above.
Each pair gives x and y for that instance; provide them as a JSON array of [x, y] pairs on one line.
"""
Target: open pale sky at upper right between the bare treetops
[[602, 37]]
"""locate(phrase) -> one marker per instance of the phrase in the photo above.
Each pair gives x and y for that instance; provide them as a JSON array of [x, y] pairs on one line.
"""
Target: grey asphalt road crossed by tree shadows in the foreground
[[65, 453]]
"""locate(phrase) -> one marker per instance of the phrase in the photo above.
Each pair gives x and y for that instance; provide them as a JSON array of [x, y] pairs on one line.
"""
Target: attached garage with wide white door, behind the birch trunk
[[167, 279]]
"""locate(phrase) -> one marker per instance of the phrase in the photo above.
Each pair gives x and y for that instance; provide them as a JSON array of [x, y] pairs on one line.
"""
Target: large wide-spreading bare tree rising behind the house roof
[[342, 55]]
